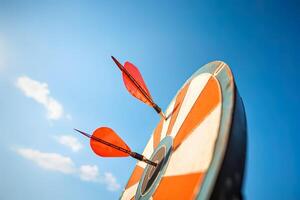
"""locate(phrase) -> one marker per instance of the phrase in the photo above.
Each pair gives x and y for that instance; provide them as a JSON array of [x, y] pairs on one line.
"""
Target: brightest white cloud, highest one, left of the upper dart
[[41, 94]]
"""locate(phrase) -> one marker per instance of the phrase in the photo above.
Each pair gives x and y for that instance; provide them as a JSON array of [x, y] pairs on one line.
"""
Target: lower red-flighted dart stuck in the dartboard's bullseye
[[106, 143]]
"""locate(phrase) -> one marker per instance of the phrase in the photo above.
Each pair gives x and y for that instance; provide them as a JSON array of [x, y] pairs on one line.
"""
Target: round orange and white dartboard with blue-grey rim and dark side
[[200, 149]]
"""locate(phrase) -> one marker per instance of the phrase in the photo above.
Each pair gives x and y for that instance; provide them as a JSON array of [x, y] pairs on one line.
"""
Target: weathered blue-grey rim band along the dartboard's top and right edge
[[225, 78]]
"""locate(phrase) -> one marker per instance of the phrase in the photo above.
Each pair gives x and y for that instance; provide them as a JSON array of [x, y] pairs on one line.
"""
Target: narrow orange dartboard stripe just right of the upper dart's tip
[[177, 106]]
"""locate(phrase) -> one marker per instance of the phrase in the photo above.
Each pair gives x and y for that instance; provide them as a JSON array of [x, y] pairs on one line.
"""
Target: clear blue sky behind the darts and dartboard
[[64, 48]]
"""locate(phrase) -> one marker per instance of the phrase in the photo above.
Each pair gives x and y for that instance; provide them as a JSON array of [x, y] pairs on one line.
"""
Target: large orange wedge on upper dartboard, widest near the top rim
[[208, 99]]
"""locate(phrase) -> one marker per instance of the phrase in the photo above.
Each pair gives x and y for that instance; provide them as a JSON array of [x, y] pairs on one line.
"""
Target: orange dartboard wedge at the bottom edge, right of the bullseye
[[178, 187]]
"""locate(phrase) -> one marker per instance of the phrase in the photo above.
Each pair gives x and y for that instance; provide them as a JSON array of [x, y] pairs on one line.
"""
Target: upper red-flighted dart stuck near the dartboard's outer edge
[[136, 86]]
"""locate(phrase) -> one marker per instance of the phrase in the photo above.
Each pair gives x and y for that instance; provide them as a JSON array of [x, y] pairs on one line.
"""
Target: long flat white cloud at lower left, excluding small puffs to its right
[[49, 161]]
